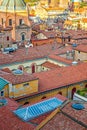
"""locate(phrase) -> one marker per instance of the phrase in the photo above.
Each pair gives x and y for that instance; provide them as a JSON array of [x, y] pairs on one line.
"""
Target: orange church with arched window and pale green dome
[[14, 14]]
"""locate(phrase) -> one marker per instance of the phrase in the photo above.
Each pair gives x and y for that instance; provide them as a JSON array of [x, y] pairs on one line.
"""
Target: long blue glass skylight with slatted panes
[[38, 109]]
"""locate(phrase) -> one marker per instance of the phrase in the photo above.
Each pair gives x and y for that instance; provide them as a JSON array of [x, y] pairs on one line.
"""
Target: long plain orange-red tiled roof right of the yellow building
[[57, 78]]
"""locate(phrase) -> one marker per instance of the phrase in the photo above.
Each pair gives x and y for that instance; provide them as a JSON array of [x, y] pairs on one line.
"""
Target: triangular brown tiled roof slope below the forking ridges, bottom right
[[62, 122]]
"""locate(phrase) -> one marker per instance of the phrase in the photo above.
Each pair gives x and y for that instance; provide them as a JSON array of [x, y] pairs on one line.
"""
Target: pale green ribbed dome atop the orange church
[[12, 5]]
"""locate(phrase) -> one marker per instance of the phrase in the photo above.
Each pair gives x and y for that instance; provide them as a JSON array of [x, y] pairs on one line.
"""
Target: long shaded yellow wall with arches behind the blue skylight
[[66, 92]]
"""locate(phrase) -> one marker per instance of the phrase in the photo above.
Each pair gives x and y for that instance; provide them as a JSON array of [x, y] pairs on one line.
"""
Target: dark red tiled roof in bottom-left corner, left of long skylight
[[8, 121]]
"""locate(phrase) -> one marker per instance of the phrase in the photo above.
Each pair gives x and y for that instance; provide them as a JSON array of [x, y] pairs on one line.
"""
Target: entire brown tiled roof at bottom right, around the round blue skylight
[[68, 119]]
